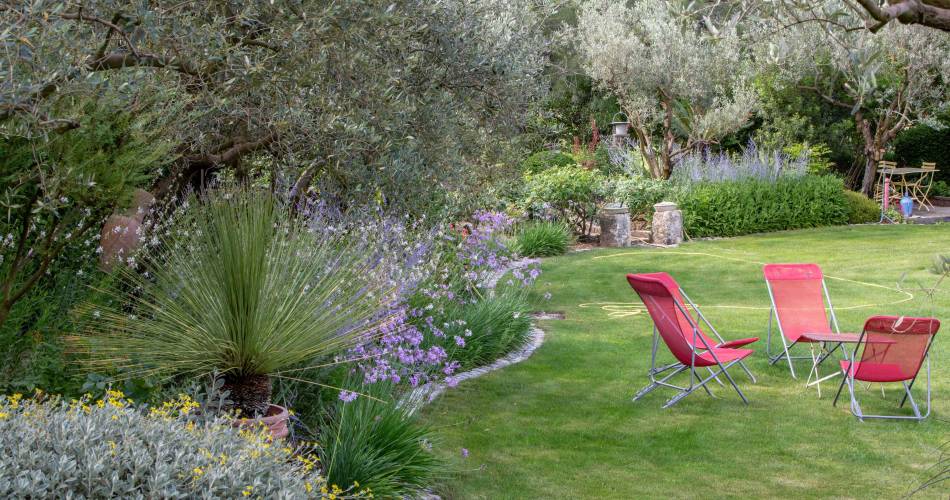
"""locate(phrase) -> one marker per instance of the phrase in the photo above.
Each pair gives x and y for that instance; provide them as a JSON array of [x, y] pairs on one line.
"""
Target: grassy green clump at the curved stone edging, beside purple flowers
[[479, 332]]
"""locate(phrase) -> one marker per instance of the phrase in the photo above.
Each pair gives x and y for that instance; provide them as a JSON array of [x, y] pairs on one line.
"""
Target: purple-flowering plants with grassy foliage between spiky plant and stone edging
[[439, 278]]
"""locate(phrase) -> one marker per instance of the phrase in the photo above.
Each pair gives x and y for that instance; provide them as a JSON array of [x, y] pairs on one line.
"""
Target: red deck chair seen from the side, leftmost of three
[[691, 347]]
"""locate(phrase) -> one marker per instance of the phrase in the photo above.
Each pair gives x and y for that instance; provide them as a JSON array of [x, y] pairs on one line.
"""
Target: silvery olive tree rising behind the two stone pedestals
[[683, 79]]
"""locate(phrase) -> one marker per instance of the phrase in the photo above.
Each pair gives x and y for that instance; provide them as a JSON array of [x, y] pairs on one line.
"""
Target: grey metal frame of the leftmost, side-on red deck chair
[[695, 381]]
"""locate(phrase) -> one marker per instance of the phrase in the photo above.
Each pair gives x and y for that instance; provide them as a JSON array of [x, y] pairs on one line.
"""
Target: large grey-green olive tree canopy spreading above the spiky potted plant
[[355, 94]]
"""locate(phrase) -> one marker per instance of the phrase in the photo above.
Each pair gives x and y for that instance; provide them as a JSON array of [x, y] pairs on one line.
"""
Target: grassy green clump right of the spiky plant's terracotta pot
[[378, 444]]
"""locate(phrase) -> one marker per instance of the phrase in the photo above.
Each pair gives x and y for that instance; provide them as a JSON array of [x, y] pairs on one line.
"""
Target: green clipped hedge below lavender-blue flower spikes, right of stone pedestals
[[755, 206]]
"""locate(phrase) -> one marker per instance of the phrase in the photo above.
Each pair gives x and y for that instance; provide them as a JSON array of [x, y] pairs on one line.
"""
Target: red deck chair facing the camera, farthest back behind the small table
[[798, 294]]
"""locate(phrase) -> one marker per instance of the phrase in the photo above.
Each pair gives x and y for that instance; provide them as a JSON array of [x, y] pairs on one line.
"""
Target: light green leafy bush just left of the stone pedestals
[[571, 194]]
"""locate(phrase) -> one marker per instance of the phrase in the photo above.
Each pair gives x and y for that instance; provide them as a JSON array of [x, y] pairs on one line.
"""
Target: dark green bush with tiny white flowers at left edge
[[59, 187]]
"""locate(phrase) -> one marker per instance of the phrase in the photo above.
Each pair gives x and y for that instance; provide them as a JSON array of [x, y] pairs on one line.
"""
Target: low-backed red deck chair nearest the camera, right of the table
[[892, 350]]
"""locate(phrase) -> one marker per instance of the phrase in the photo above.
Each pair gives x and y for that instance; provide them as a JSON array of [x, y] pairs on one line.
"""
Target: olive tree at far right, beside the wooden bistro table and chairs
[[888, 81]]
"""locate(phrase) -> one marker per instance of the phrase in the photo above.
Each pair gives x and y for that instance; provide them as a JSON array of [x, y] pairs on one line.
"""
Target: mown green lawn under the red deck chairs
[[562, 423]]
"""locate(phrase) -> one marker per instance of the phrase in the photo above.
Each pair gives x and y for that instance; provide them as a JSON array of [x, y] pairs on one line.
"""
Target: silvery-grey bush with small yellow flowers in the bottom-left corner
[[109, 449]]
